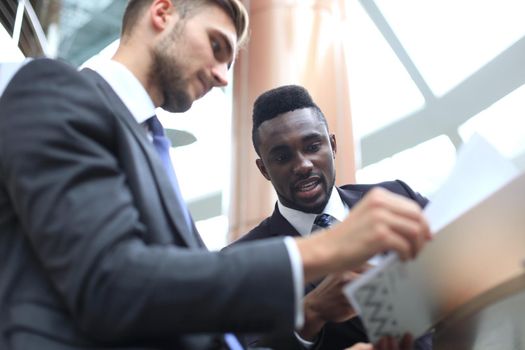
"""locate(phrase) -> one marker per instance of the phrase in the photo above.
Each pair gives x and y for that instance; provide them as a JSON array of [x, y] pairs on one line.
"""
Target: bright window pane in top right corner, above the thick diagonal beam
[[449, 40]]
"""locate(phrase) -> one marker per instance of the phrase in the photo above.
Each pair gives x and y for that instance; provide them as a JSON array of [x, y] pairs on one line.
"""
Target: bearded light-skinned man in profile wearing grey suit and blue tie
[[97, 248]]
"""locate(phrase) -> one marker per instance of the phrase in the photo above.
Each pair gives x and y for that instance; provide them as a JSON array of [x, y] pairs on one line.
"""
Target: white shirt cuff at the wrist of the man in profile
[[298, 279]]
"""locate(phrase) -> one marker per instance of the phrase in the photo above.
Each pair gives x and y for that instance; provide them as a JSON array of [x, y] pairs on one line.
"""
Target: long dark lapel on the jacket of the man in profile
[[164, 185]]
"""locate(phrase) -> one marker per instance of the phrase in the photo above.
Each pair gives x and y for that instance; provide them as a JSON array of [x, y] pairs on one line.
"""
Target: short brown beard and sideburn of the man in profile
[[167, 73]]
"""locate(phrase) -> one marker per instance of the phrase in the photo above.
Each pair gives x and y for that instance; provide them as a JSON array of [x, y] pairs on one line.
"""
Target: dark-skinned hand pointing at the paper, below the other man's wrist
[[327, 303]]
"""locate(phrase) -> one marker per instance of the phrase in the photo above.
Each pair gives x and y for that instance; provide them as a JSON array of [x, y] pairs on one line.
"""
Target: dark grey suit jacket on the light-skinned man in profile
[[91, 251]]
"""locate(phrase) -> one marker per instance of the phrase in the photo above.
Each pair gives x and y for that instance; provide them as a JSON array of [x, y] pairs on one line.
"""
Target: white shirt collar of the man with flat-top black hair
[[303, 222]]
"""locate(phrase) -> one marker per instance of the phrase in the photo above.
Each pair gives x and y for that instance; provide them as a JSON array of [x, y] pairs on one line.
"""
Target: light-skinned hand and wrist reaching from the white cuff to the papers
[[381, 221]]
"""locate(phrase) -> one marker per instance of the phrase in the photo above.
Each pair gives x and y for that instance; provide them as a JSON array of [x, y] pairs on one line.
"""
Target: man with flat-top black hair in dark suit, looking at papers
[[297, 152]]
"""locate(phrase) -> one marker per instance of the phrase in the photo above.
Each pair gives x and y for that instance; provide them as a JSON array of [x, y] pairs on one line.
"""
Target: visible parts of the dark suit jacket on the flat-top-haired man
[[334, 335]]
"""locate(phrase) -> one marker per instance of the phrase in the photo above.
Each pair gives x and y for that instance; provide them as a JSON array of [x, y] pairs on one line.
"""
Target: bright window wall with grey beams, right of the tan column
[[441, 44]]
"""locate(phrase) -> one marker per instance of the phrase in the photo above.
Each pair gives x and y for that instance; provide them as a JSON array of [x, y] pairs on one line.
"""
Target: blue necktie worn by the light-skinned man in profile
[[162, 145]]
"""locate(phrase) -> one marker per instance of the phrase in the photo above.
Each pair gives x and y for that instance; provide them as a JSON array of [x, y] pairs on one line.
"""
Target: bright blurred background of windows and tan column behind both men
[[402, 83]]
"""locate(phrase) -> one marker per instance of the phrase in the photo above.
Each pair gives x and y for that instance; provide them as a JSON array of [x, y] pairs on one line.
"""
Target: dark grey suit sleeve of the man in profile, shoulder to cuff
[[59, 164]]
